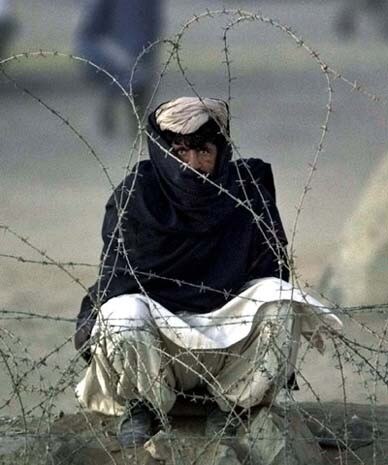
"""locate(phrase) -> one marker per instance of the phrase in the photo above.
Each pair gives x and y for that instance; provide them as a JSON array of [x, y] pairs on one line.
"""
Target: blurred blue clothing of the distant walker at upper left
[[113, 33]]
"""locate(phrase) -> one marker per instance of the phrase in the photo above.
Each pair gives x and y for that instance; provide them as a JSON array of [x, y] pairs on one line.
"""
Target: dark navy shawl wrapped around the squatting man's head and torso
[[184, 242]]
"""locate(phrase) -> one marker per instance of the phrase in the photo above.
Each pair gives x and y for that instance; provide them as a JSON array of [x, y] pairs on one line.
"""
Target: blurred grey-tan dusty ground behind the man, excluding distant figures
[[53, 191]]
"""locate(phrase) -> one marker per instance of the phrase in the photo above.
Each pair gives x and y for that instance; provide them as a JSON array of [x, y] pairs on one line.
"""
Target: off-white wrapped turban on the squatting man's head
[[186, 115]]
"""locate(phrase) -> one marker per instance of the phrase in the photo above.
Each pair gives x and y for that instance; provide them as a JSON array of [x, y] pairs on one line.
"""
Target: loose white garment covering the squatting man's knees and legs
[[239, 352]]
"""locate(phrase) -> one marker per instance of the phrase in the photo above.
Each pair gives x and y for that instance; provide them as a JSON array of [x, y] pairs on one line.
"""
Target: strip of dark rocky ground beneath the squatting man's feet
[[89, 438]]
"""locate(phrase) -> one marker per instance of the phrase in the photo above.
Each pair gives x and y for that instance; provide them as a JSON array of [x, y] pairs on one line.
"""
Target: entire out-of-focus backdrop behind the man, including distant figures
[[53, 190]]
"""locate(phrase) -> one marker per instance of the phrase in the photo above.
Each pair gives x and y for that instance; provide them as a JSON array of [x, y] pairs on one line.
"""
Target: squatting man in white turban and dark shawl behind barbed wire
[[193, 288]]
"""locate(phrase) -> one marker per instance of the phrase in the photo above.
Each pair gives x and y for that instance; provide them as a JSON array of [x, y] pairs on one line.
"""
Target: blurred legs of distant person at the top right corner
[[350, 11]]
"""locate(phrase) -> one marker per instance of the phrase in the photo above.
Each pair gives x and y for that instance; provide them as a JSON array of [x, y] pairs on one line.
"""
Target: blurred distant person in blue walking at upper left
[[112, 34]]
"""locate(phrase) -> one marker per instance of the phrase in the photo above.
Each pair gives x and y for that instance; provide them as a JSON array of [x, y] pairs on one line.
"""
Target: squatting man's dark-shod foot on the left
[[135, 425]]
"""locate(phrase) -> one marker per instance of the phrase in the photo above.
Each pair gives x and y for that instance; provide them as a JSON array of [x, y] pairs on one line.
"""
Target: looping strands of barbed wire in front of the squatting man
[[346, 351]]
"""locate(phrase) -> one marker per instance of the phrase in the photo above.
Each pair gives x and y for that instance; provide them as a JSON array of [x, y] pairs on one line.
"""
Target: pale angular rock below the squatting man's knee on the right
[[273, 439]]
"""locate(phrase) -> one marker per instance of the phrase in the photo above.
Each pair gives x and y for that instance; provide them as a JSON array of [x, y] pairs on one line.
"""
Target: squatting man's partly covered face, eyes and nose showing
[[202, 159]]
